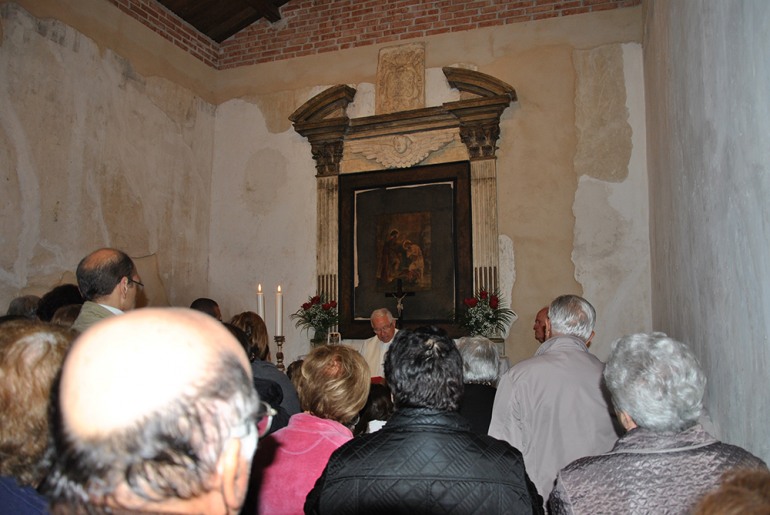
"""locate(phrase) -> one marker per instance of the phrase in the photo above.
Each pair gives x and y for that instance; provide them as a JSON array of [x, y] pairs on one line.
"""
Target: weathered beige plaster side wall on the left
[[92, 154]]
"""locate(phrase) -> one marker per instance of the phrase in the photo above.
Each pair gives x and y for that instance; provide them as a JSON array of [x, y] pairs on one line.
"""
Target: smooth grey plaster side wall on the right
[[707, 70]]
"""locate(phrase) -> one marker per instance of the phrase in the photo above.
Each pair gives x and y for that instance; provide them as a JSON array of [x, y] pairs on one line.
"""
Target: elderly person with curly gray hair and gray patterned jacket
[[666, 461]]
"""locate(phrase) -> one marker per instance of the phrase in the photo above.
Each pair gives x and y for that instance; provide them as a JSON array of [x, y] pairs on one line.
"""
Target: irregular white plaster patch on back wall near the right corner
[[612, 243]]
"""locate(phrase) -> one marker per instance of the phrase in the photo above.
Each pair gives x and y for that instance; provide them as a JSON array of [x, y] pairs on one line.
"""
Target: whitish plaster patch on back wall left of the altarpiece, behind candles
[[263, 219]]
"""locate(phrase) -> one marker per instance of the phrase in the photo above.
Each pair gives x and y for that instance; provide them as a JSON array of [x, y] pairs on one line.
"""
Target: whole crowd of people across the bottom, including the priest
[[170, 410]]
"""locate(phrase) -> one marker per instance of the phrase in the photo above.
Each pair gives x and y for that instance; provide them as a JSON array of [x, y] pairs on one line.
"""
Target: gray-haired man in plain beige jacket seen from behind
[[552, 407]]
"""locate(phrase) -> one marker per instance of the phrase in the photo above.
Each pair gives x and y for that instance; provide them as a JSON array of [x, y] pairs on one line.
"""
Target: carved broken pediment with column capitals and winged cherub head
[[405, 138]]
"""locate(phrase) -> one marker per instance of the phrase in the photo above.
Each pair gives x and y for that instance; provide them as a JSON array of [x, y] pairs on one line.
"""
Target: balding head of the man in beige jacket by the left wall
[[100, 272]]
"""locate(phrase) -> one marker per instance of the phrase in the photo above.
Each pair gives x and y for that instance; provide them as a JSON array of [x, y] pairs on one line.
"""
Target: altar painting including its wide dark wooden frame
[[404, 245]]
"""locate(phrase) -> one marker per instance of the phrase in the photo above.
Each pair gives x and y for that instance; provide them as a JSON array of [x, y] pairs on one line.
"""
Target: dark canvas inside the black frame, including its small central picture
[[398, 231]]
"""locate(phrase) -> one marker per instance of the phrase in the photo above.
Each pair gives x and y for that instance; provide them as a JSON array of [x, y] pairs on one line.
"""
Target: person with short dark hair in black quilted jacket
[[425, 459]]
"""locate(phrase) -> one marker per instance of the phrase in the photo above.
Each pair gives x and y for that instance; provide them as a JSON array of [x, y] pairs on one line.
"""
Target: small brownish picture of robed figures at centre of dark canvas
[[403, 249]]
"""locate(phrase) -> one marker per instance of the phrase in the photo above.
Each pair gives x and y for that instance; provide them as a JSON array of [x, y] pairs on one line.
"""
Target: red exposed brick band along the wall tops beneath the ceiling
[[316, 26]]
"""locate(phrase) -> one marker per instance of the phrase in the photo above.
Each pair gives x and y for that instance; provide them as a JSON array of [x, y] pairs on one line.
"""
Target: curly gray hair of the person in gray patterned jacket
[[655, 380]]
